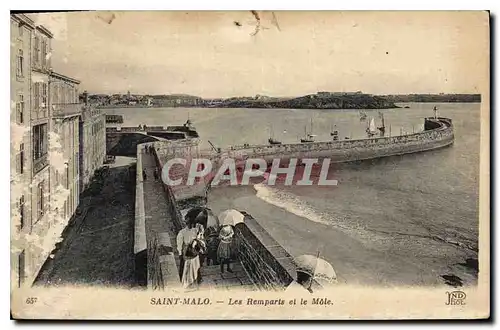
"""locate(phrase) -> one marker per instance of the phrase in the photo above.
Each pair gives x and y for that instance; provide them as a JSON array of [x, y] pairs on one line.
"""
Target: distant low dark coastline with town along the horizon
[[320, 100]]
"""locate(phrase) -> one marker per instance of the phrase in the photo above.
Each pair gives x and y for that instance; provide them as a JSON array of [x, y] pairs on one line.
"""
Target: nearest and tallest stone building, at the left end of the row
[[30, 123]]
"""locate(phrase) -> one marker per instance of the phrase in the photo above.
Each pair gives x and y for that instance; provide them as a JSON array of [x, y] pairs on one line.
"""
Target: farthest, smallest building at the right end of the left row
[[92, 142]]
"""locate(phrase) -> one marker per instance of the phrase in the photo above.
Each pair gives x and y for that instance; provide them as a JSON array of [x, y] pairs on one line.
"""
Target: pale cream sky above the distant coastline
[[215, 54]]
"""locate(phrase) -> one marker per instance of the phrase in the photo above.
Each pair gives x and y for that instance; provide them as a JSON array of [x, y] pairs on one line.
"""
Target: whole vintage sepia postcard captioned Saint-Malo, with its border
[[250, 165]]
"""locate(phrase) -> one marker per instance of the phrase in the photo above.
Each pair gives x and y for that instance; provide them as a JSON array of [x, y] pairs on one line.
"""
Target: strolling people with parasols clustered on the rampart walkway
[[203, 240]]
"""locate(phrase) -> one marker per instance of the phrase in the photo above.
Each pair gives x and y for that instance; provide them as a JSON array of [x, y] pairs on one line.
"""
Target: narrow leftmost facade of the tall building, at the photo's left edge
[[21, 29]]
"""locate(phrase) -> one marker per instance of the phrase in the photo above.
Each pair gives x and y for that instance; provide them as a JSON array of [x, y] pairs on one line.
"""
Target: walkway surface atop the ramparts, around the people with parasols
[[159, 221]]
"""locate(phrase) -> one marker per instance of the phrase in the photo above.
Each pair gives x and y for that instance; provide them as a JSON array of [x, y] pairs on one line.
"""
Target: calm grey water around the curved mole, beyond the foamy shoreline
[[400, 205]]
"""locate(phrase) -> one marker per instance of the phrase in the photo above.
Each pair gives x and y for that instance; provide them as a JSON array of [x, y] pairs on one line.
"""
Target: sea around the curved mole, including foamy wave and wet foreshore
[[401, 220]]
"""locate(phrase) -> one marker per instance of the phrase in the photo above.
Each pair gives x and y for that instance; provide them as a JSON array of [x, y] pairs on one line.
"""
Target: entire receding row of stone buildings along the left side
[[53, 137]]
